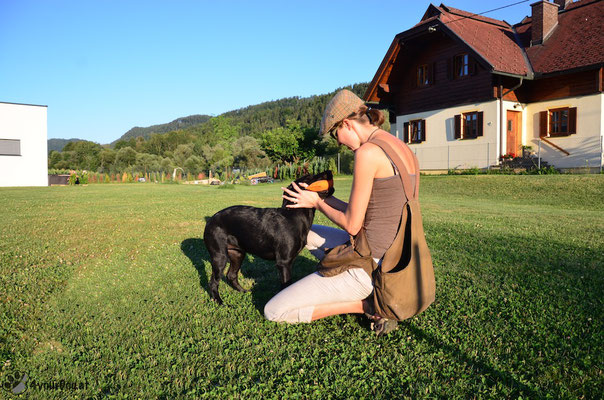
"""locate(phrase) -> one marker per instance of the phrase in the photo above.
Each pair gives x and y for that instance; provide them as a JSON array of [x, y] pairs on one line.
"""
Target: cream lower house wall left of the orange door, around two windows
[[441, 151]]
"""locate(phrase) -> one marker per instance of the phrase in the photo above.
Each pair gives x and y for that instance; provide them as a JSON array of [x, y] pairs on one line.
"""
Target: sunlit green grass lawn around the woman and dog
[[103, 293]]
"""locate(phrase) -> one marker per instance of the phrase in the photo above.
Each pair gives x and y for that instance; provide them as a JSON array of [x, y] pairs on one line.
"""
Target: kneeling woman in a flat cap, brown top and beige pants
[[376, 203]]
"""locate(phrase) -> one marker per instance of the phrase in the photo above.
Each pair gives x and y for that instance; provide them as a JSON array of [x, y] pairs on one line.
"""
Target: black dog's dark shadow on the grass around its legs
[[262, 272]]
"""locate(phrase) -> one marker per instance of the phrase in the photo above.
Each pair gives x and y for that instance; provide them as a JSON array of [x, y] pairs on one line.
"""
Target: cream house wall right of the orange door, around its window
[[584, 146]]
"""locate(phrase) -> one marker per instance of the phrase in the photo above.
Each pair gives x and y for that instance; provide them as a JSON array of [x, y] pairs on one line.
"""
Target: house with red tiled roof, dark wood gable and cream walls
[[463, 90]]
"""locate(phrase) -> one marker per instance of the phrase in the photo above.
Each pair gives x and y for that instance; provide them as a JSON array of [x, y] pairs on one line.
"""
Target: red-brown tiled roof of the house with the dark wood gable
[[505, 49]]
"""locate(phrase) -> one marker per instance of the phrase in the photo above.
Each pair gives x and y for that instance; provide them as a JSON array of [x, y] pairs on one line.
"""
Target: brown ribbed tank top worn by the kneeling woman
[[384, 212]]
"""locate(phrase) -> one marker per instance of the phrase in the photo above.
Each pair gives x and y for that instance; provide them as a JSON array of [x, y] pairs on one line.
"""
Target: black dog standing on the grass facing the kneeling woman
[[271, 233]]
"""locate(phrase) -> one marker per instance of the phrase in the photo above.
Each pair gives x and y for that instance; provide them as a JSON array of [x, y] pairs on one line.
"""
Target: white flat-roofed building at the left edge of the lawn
[[23, 145]]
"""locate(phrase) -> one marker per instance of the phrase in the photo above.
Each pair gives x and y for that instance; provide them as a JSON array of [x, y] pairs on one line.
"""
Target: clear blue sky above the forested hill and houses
[[103, 67]]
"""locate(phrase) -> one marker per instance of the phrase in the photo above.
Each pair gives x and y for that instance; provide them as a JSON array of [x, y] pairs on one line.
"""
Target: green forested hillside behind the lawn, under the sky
[[281, 132]]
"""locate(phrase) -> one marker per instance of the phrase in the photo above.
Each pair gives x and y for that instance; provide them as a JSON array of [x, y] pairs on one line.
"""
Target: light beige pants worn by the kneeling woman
[[297, 302]]
